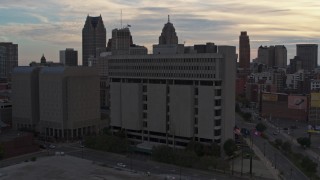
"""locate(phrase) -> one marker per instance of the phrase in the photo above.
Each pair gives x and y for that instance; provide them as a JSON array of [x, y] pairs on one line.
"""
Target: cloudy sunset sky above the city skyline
[[46, 27]]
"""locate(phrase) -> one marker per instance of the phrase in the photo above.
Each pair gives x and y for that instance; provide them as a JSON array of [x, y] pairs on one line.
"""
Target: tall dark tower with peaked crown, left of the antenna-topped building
[[93, 37]]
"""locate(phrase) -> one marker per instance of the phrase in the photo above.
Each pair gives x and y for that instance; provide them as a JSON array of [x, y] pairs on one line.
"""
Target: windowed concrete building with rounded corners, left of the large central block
[[62, 102]]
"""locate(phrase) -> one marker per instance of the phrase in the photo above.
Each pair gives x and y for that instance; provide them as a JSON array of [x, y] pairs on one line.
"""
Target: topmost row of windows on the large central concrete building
[[166, 60]]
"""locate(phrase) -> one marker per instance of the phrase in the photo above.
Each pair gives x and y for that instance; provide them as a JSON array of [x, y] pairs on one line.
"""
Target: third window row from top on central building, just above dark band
[[176, 75]]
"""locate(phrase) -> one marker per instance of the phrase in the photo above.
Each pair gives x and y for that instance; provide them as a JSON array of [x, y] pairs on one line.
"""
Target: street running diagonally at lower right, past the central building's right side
[[279, 161]]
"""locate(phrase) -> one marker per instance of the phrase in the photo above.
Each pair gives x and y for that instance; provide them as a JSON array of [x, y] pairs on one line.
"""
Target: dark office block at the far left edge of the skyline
[[8, 58]]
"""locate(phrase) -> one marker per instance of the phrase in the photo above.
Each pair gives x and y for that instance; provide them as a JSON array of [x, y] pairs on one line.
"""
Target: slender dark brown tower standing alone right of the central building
[[244, 50]]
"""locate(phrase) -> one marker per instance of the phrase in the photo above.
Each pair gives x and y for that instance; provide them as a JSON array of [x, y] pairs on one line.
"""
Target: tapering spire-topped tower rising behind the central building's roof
[[168, 35]]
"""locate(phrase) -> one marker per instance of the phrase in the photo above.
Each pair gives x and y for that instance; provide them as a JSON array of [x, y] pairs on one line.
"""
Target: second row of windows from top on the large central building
[[189, 68]]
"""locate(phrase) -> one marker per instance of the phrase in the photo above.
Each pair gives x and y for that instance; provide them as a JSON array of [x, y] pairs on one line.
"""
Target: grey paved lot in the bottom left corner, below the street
[[67, 167]]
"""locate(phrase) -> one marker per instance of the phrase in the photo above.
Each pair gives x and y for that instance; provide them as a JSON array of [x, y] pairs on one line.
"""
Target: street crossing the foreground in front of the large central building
[[139, 164]]
